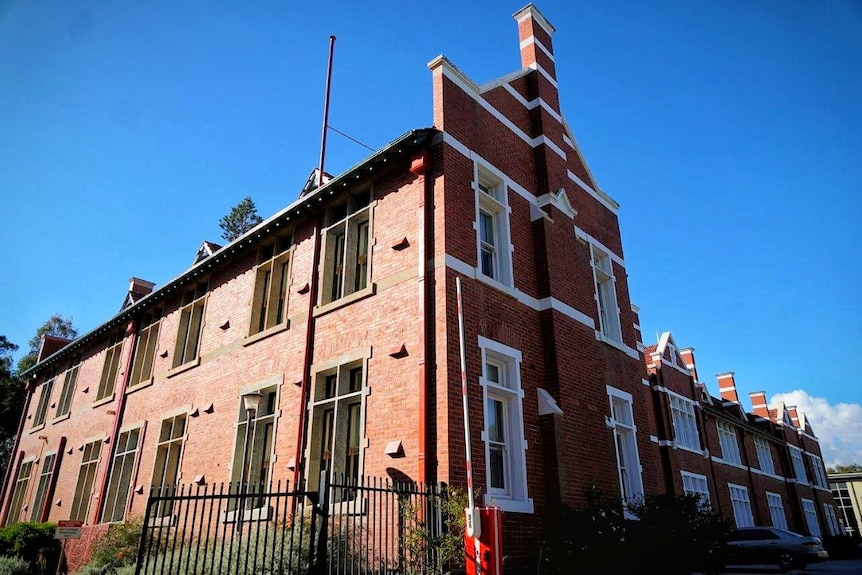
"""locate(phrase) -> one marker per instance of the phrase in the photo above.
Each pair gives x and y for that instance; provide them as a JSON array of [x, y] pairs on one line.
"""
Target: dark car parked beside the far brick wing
[[749, 546]]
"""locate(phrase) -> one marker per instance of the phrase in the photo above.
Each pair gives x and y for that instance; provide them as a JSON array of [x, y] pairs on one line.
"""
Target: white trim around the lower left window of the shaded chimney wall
[[518, 500]]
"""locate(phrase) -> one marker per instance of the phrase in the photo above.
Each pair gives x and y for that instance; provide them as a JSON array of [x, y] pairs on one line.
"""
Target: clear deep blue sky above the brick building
[[730, 133]]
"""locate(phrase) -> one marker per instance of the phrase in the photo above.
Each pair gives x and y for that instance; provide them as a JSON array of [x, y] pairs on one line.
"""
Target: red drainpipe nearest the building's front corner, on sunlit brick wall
[[420, 166]]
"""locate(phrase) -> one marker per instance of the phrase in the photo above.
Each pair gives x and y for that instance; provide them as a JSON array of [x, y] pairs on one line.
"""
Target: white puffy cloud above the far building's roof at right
[[839, 427]]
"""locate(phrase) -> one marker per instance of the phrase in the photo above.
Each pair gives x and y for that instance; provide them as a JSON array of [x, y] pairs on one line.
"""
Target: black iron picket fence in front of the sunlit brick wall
[[370, 526]]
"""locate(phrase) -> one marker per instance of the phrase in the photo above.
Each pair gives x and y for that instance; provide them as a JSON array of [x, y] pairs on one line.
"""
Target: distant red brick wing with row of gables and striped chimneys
[[762, 467]]
